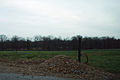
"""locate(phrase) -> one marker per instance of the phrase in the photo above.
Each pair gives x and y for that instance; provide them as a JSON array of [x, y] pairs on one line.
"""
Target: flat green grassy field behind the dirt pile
[[108, 60]]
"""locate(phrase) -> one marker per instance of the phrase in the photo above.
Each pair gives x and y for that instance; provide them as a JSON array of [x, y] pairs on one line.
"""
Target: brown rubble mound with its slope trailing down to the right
[[66, 65]]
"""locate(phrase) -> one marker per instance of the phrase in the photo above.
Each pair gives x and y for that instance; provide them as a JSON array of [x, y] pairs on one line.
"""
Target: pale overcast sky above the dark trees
[[65, 18]]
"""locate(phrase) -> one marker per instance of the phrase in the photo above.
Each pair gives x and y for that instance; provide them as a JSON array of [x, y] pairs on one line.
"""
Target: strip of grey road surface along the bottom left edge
[[13, 76]]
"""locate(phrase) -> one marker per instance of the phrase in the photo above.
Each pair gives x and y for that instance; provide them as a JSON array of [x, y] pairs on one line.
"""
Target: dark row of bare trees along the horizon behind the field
[[50, 43]]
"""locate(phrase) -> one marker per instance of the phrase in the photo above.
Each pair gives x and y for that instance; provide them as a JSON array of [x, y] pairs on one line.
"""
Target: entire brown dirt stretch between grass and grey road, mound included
[[60, 66]]
